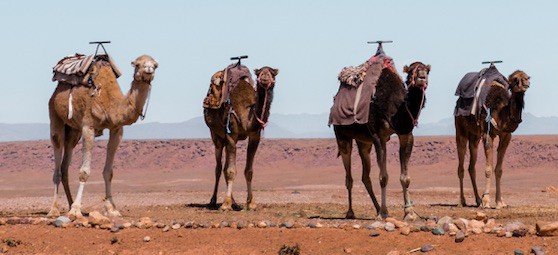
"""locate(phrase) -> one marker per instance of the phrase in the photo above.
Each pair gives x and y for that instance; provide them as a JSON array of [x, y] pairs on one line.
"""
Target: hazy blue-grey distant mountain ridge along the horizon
[[280, 126]]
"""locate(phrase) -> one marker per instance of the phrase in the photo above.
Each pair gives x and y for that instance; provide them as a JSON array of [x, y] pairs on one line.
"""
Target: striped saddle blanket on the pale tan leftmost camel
[[76, 69]]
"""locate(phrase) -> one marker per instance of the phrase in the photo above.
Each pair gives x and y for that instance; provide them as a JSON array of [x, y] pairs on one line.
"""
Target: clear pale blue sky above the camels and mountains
[[309, 41]]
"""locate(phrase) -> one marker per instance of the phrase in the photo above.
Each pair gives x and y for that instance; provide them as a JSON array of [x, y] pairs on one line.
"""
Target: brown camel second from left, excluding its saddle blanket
[[250, 115]]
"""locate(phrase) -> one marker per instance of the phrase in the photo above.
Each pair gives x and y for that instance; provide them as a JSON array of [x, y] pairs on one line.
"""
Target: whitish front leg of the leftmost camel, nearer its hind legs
[[88, 134]]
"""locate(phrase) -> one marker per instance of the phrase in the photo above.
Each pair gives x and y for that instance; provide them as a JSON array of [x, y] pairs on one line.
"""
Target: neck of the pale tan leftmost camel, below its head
[[136, 99]]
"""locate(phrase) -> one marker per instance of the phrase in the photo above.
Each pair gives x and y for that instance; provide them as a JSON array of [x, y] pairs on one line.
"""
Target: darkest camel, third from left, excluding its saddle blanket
[[395, 110]]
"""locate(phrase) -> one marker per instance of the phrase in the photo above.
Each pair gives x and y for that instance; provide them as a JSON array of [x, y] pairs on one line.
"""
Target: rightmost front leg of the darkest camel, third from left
[[406, 143]]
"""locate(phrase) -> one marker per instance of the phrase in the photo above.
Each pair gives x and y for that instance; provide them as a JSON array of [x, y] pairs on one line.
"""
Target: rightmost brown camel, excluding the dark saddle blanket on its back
[[505, 112]]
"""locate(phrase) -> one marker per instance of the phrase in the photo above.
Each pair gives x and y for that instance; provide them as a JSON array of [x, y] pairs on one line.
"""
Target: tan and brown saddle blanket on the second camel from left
[[223, 82]]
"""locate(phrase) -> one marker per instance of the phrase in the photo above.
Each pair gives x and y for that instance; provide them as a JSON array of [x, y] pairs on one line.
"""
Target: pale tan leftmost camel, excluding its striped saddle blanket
[[93, 111]]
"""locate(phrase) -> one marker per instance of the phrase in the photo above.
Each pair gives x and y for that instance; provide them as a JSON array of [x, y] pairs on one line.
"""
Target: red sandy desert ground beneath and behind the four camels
[[297, 180]]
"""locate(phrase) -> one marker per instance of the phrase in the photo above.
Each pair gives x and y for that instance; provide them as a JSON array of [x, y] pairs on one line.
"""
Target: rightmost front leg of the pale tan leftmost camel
[[114, 140]]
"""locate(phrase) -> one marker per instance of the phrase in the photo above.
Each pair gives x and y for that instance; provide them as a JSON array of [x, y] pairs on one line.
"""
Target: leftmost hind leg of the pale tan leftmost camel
[[57, 138]]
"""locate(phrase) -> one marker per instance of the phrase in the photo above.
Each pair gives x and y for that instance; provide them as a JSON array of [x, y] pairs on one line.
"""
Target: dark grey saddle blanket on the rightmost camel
[[473, 89]]
